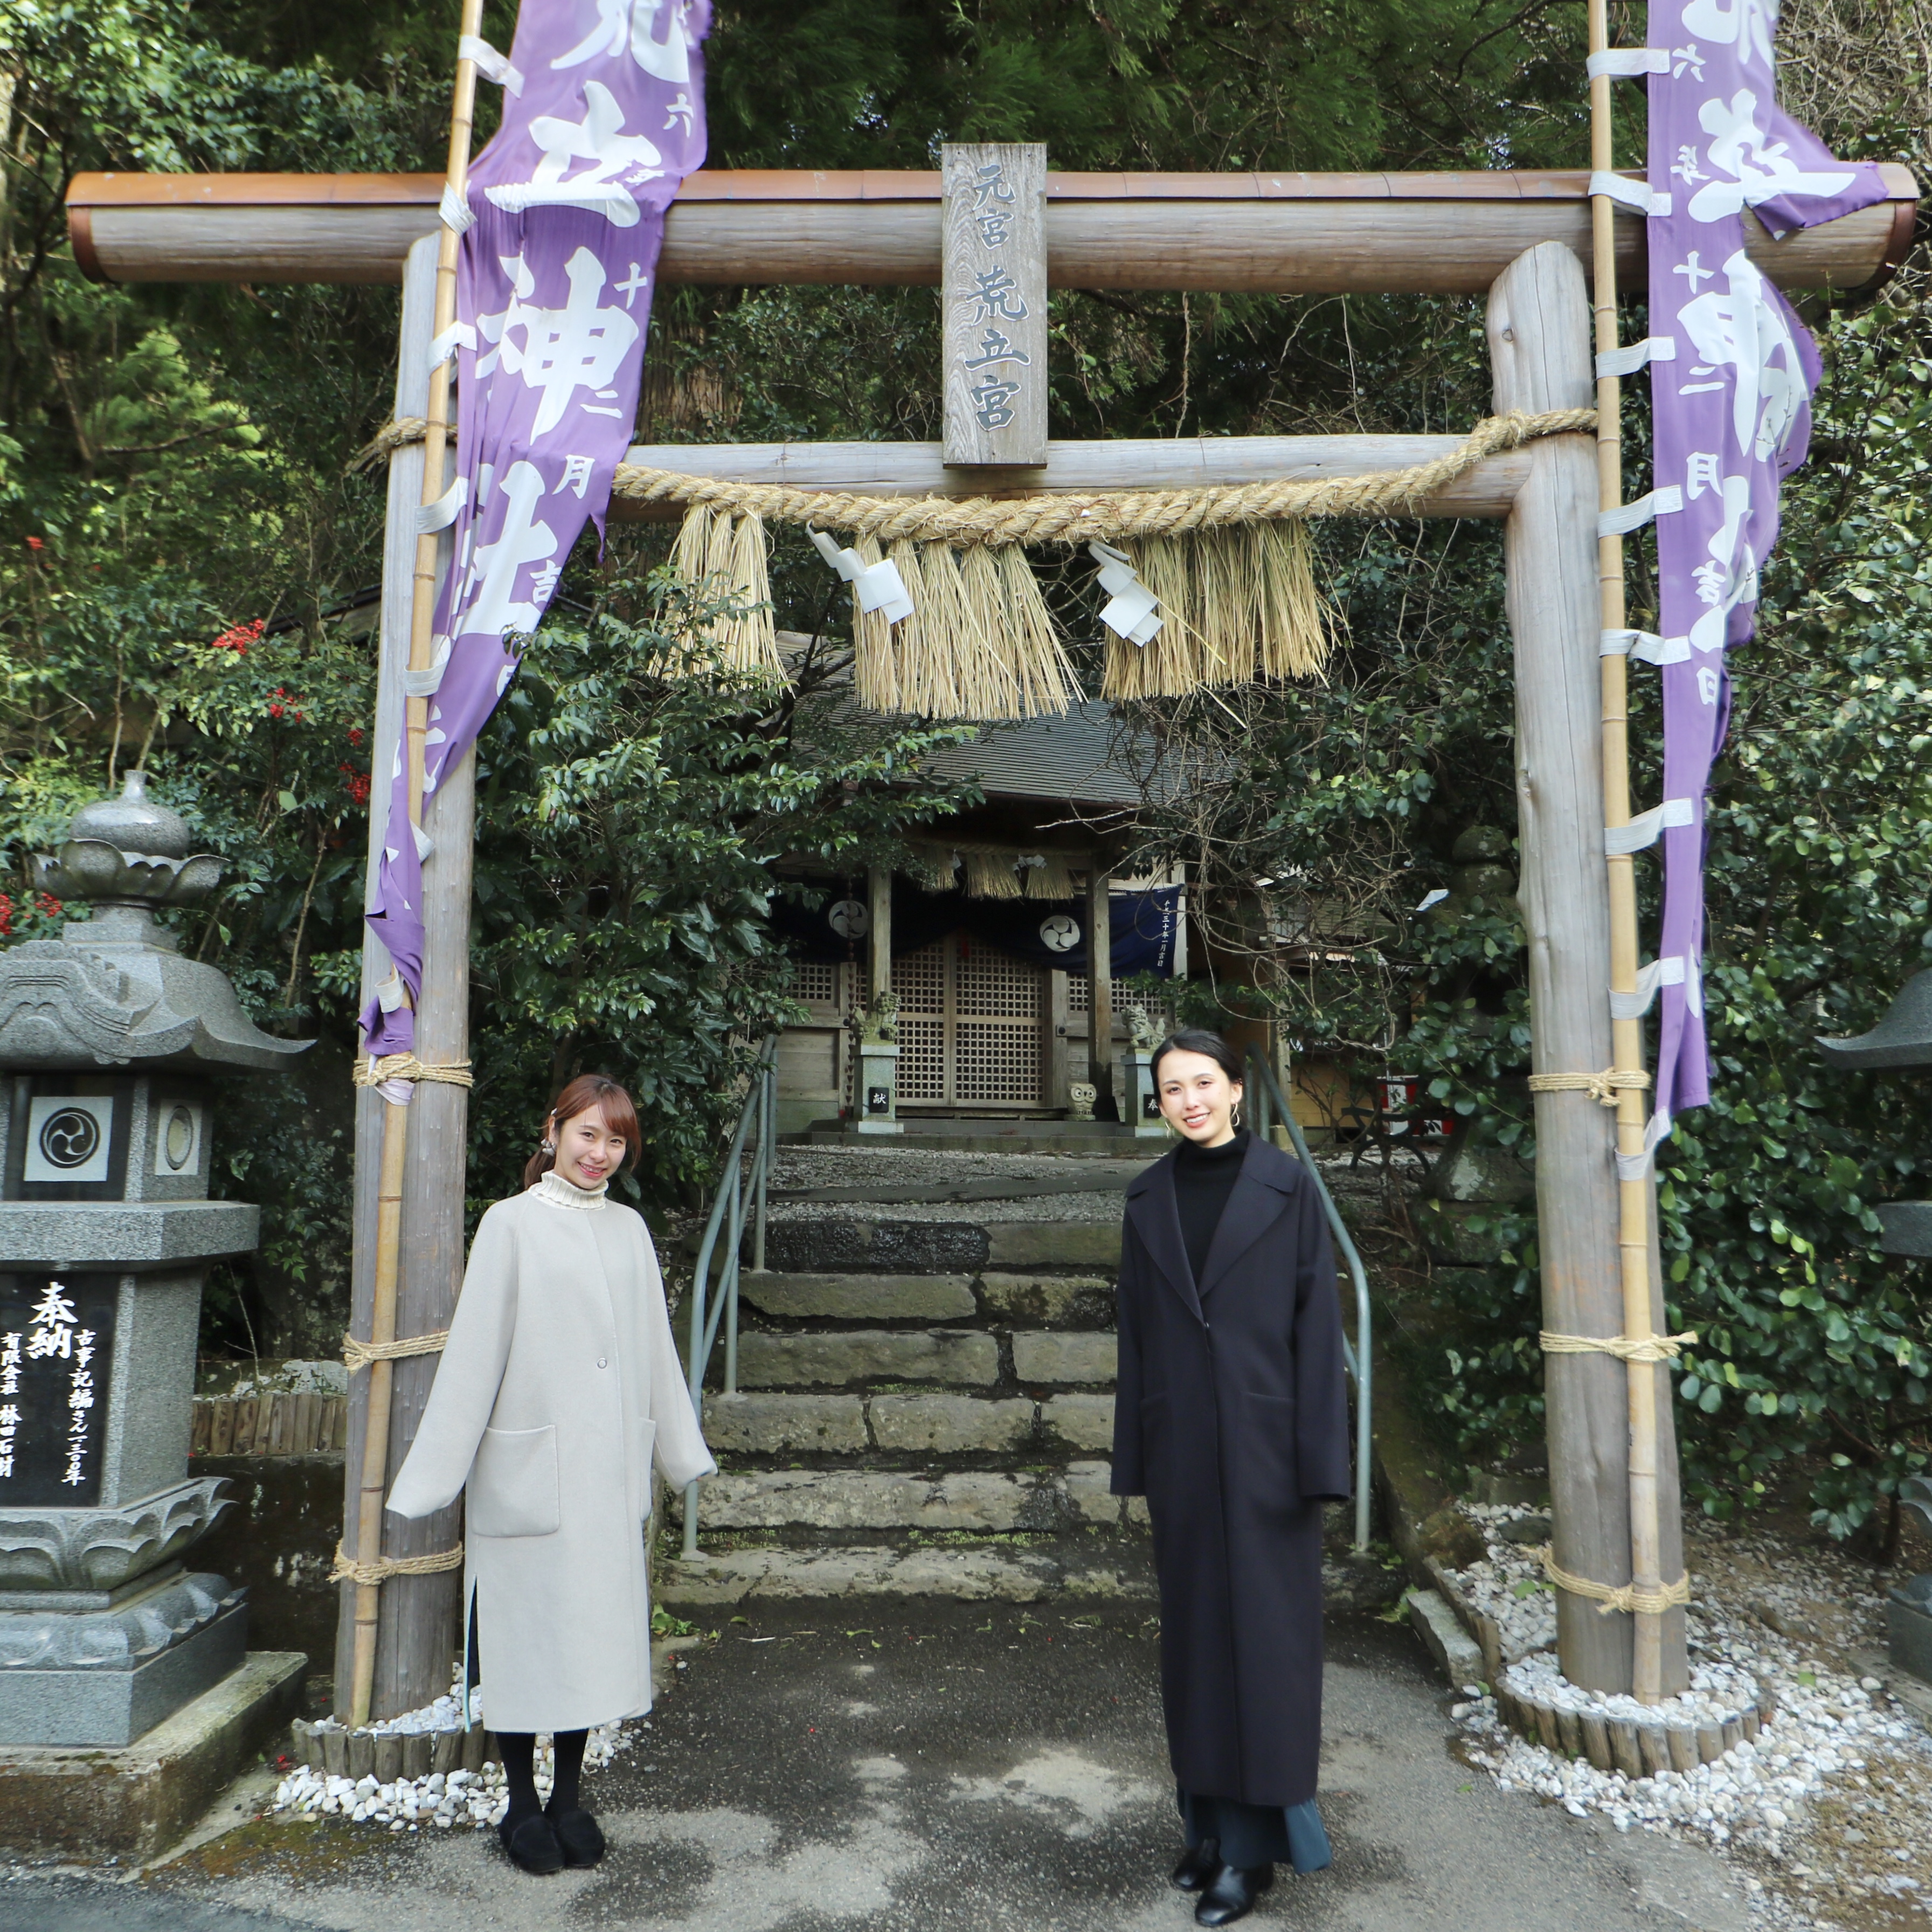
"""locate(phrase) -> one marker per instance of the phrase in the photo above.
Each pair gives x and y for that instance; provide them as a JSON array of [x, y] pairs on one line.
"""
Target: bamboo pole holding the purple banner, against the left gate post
[[416, 729]]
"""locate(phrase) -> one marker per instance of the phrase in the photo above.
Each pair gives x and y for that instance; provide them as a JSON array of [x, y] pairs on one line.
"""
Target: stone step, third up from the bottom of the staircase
[[766, 1425]]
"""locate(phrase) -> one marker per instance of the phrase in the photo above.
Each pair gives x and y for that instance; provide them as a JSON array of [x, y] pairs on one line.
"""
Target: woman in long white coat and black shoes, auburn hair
[[557, 1386]]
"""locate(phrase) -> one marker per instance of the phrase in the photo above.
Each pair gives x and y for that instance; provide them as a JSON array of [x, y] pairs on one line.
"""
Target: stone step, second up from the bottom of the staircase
[[913, 1500]]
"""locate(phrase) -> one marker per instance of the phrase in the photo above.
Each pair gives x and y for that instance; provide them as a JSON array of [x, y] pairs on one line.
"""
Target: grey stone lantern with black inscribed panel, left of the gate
[[107, 1044]]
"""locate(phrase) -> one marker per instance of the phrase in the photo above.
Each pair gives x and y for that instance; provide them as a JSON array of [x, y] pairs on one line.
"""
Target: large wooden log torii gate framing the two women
[[1523, 239]]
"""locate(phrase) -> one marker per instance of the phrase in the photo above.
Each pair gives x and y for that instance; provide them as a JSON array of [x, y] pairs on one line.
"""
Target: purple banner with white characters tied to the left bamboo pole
[[565, 213]]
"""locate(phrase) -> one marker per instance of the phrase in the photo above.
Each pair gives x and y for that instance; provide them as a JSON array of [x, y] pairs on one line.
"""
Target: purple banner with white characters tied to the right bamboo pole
[[1732, 372]]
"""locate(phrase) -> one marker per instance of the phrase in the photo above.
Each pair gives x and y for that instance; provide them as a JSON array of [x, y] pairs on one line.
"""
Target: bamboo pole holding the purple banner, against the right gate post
[[1626, 1037]]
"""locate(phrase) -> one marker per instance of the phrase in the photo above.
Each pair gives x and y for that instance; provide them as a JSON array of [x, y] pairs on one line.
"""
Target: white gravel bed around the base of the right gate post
[[1833, 1804]]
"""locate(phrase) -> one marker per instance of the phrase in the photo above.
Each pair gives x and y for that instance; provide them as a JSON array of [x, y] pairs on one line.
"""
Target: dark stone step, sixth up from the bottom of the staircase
[[868, 1245]]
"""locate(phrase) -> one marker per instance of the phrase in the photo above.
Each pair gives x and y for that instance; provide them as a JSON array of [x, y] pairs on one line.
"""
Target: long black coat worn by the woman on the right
[[1232, 1417]]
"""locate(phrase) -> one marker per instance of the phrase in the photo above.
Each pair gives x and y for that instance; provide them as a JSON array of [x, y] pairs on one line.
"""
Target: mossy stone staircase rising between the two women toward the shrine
[[924, 1400]]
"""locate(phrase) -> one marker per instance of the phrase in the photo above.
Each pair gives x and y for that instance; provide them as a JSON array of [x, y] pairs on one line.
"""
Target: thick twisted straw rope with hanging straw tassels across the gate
[[1232, 567]]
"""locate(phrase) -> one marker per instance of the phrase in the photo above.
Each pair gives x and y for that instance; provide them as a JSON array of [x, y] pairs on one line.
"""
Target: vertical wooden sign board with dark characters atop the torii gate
[[994, 304]]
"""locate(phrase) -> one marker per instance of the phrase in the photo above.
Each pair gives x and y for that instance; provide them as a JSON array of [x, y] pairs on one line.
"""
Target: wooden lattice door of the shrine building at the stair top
[[969, 1027]]
